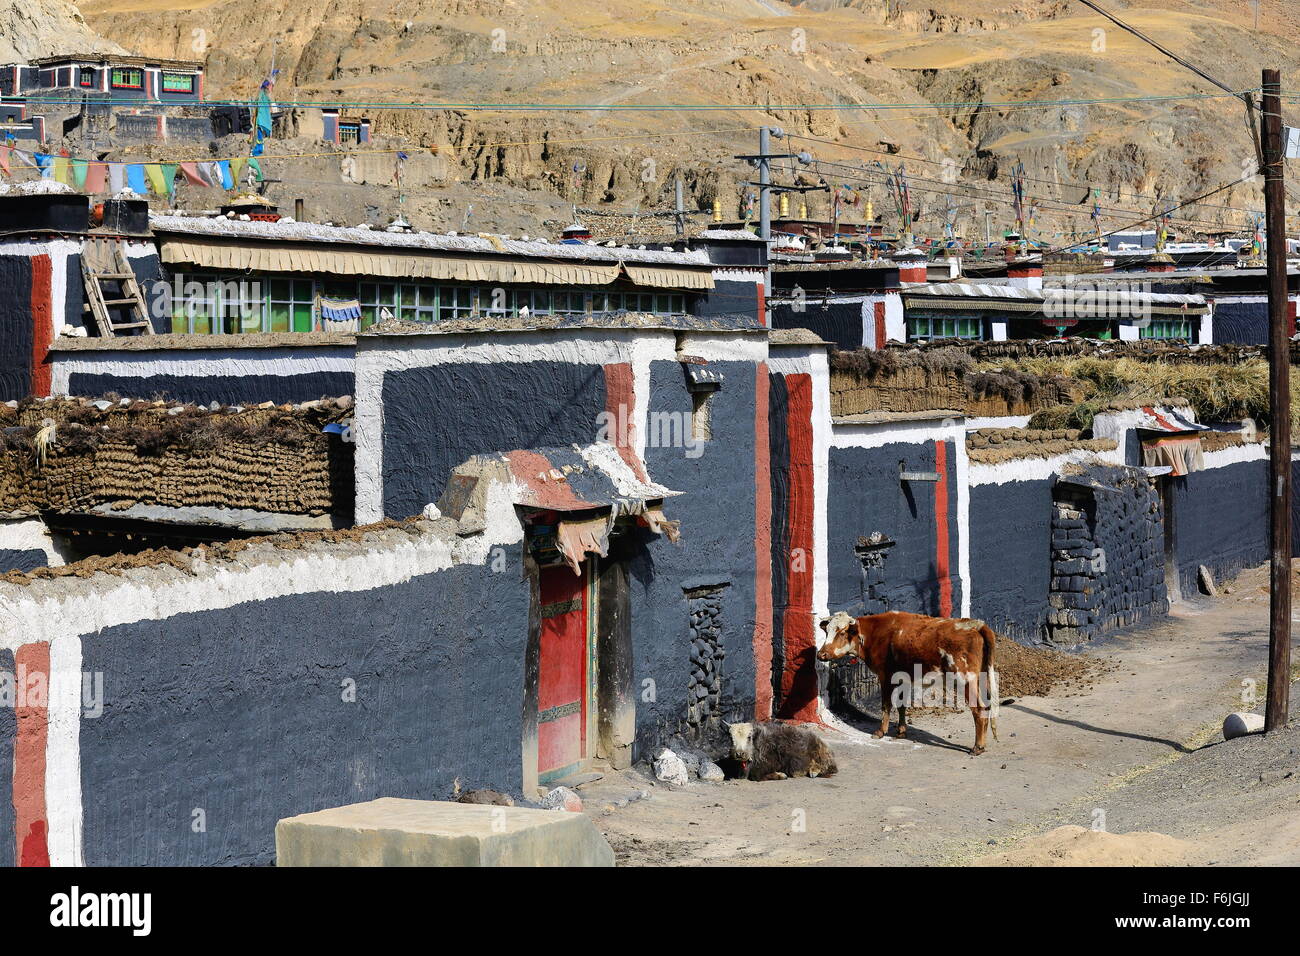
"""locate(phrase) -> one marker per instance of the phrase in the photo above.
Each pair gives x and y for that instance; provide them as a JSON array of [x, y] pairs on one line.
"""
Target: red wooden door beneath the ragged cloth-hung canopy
[[562, 674]]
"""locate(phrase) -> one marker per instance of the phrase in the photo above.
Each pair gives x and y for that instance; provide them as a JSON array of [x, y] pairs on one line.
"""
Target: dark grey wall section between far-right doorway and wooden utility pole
[[1221, 520]]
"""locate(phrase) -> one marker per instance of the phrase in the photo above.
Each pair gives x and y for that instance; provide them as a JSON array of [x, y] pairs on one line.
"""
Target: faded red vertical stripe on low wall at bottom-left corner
[[32, 669]]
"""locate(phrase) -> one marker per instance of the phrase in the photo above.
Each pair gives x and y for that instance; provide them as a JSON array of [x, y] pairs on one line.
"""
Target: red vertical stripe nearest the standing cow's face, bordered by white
[[799, 680]]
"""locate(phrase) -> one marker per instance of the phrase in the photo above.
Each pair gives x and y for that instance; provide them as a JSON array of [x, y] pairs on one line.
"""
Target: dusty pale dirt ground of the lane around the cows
[[1137, 754]]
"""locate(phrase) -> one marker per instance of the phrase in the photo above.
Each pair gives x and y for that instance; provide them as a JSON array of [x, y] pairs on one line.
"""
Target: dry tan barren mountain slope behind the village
[[762, 59]]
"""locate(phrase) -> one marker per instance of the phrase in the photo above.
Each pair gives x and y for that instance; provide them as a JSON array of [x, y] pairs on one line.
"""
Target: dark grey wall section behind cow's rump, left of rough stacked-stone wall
[[1011, 551]]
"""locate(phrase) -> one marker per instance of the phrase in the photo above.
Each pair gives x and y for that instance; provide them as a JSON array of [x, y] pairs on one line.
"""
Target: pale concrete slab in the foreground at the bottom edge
[[392, 832]]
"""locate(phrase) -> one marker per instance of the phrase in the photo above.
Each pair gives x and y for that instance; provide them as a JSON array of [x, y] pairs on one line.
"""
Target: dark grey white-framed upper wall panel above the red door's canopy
[[437, 418]]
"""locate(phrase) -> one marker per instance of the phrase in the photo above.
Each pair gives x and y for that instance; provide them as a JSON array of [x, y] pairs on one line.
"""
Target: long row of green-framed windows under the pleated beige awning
[[222, 304]]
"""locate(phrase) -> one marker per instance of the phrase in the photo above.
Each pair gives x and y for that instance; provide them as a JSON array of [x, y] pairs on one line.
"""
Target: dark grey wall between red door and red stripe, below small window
[[717, 513]]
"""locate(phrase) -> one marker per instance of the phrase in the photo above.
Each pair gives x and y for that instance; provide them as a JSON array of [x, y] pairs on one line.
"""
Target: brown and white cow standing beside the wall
[[903, 650]]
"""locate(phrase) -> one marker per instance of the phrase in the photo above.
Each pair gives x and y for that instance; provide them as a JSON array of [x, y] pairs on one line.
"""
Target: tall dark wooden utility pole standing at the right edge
[[1280, 409]]
